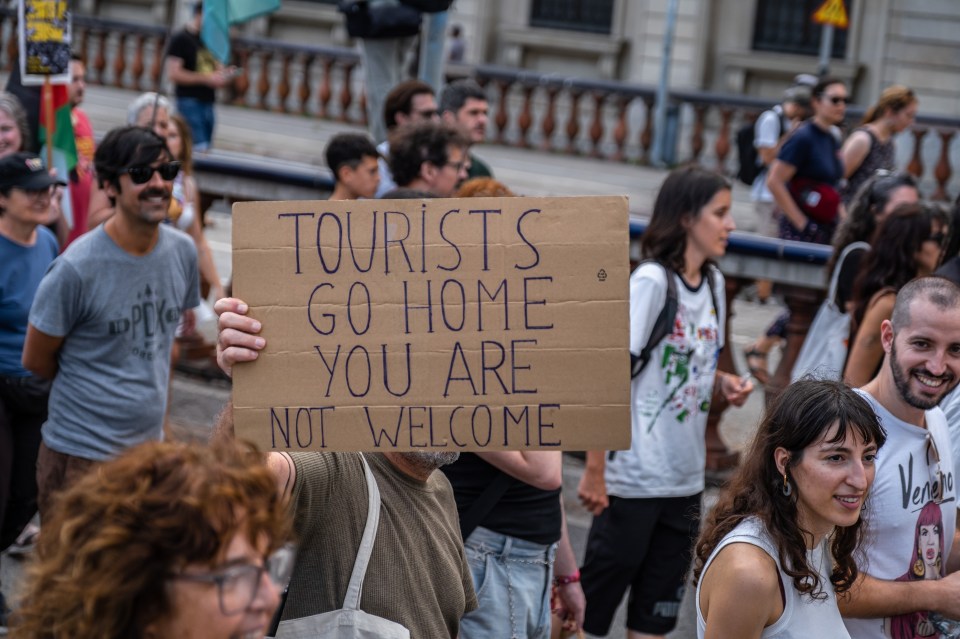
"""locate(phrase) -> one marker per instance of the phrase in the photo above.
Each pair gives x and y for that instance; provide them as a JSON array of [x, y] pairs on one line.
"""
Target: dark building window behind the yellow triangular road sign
[[787, 26]]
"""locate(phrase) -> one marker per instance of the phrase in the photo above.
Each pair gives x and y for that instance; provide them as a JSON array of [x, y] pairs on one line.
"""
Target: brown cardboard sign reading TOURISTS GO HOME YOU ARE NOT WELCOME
[[457, 324]]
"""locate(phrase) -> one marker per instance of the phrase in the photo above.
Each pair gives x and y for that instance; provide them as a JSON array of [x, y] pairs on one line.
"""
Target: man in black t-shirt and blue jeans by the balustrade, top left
[[196, 76]]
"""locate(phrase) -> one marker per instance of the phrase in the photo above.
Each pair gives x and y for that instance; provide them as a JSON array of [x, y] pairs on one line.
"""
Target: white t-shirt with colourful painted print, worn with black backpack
[[671, 397]]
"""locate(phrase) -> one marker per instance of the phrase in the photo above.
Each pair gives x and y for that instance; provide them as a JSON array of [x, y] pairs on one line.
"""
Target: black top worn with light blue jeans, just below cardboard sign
[[524, 512]]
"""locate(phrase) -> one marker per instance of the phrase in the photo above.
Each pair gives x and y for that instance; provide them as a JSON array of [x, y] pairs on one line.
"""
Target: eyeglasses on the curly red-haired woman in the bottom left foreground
[[237, 586]]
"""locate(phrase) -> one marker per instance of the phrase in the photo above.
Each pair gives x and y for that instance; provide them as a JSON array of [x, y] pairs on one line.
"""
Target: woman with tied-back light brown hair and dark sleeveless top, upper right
[[870, 147]]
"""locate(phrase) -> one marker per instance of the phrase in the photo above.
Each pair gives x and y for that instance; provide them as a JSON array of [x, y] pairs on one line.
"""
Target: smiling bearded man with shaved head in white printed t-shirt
[[921, 365]]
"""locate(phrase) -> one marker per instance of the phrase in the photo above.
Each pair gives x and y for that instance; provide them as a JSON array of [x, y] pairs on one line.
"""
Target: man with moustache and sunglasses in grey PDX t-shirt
[[103, 321]]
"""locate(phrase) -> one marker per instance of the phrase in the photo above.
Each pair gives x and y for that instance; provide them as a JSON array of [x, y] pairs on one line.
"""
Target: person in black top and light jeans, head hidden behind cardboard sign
[[512, 523]]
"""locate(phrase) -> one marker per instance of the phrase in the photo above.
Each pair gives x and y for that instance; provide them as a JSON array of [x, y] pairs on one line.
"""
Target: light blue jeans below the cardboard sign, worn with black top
[[512, 578]]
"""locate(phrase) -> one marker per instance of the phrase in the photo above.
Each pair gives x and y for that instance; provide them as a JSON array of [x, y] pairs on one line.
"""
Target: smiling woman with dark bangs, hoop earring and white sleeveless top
[[782, 540]]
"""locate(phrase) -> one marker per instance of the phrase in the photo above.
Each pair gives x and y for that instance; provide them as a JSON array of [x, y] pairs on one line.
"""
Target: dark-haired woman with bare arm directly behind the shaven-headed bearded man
[[907, 245]]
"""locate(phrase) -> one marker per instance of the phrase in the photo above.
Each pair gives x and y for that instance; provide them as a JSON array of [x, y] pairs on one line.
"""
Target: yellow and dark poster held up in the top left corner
[[44, 41]]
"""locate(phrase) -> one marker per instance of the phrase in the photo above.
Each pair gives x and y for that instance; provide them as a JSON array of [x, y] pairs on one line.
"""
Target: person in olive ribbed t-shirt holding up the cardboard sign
[[418, 575]]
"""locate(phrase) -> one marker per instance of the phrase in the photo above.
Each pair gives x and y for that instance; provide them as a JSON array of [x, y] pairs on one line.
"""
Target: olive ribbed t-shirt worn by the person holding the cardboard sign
[[418, 574]]
